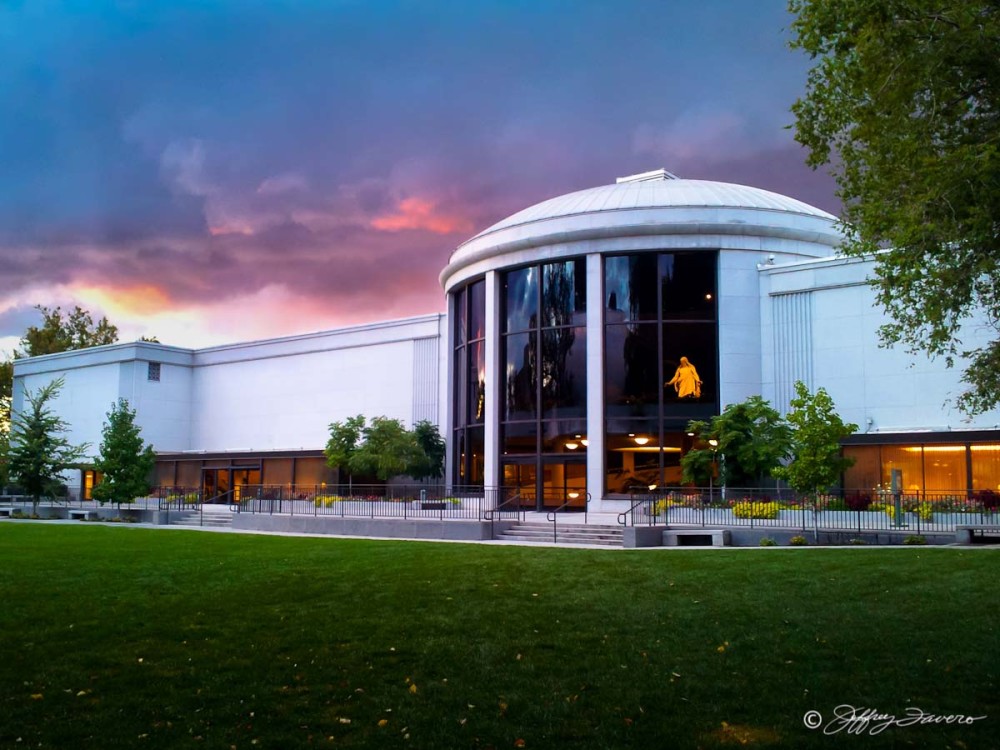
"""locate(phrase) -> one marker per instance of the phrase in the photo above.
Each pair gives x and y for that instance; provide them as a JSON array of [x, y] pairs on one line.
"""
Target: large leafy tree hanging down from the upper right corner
[[904, 101]]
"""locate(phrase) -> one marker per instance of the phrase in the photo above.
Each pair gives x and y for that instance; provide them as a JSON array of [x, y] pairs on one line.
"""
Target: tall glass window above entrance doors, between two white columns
[[544, 382]]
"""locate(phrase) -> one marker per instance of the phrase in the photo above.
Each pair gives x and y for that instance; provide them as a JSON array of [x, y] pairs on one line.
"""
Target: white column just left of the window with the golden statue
[[595, 380]]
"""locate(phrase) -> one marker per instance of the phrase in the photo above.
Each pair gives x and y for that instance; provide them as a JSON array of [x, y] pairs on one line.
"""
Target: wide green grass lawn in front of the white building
[[129, 637]]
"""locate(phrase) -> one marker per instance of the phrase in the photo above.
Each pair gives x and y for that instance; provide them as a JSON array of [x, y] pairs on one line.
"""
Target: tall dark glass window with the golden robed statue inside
[[660, 362]]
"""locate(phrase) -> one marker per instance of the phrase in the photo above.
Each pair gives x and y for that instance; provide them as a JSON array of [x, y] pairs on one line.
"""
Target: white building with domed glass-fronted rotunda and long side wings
[[551, 371]]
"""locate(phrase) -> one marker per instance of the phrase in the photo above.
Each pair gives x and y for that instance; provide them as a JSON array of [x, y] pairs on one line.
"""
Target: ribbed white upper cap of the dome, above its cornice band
[[658, 189]]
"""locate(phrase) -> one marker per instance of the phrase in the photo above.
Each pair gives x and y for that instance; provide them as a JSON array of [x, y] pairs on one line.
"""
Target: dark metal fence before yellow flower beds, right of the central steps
[[904, 512]]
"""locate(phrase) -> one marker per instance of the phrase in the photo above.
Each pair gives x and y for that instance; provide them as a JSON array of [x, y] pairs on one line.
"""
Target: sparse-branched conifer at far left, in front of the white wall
[[39, 453]]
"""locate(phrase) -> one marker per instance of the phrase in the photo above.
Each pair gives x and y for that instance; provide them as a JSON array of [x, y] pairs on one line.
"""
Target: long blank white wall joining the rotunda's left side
[[284, 393]]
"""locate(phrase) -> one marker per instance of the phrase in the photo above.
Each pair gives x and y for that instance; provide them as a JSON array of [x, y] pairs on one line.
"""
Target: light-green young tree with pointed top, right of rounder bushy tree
[[816, 462]]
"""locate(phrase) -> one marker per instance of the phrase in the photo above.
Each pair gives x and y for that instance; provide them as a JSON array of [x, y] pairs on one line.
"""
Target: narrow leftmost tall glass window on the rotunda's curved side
[[469, 406]]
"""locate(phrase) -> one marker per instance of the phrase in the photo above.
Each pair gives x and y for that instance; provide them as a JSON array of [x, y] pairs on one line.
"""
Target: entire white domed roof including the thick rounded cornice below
[[654, 205]]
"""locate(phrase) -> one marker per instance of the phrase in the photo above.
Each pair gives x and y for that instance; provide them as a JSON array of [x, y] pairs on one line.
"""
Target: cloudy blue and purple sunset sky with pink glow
[[218, 171]]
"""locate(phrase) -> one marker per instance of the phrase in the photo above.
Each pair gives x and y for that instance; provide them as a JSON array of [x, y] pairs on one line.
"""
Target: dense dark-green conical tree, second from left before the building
[[125, 461]]
